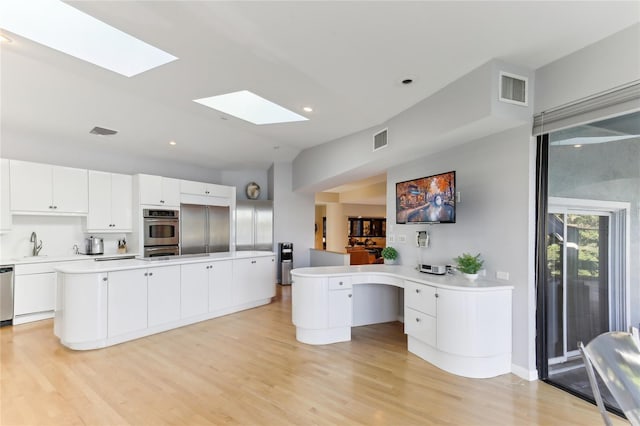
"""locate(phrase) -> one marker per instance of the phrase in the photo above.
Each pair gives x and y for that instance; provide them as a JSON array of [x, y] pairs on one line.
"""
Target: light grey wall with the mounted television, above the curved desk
[[492, 177]]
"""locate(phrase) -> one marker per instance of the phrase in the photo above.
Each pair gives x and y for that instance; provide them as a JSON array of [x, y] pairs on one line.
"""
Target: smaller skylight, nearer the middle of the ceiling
[[250, 107]]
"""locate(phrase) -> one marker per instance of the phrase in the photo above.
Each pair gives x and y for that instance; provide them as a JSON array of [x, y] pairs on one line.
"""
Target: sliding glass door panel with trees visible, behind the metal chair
[[577, 281]]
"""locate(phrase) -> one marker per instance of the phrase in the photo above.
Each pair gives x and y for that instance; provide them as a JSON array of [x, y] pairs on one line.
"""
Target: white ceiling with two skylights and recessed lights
[[344, 59]]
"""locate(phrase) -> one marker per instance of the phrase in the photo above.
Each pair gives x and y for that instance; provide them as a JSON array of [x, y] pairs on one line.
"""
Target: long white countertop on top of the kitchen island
[[91, 266]]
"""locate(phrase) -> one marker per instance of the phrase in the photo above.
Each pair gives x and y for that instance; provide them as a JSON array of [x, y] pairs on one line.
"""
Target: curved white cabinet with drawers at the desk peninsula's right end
[[463, 332]]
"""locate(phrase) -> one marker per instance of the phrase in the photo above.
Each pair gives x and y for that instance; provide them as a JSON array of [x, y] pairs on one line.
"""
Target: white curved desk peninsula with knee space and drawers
[[460, 326]]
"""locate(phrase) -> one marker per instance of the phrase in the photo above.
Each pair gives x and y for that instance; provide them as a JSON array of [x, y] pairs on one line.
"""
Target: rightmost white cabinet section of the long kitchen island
[[254, 279]]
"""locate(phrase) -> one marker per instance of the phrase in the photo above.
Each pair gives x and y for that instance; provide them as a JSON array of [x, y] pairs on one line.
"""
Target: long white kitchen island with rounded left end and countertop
[[100, 304]]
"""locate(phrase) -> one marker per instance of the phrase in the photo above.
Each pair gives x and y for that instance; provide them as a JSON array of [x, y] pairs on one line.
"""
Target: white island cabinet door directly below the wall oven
[[163, 286]]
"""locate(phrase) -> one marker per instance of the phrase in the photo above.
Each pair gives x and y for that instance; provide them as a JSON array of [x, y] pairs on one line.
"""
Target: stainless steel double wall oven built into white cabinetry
[[161, 232]]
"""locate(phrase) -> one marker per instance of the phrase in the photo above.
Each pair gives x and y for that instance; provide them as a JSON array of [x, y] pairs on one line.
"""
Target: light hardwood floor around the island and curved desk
[[247, 368]]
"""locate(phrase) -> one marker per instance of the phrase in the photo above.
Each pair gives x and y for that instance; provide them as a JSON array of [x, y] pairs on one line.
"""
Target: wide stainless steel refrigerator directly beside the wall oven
[[204, 229]]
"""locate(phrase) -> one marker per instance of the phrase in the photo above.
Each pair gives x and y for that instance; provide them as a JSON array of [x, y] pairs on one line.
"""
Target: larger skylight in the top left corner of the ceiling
[[61, 27]]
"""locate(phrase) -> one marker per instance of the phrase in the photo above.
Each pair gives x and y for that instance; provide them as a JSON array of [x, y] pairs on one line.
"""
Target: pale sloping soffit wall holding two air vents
[[464, 110]]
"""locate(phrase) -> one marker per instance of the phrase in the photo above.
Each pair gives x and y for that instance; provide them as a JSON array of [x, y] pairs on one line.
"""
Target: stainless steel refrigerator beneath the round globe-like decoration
[[254, 225]]
